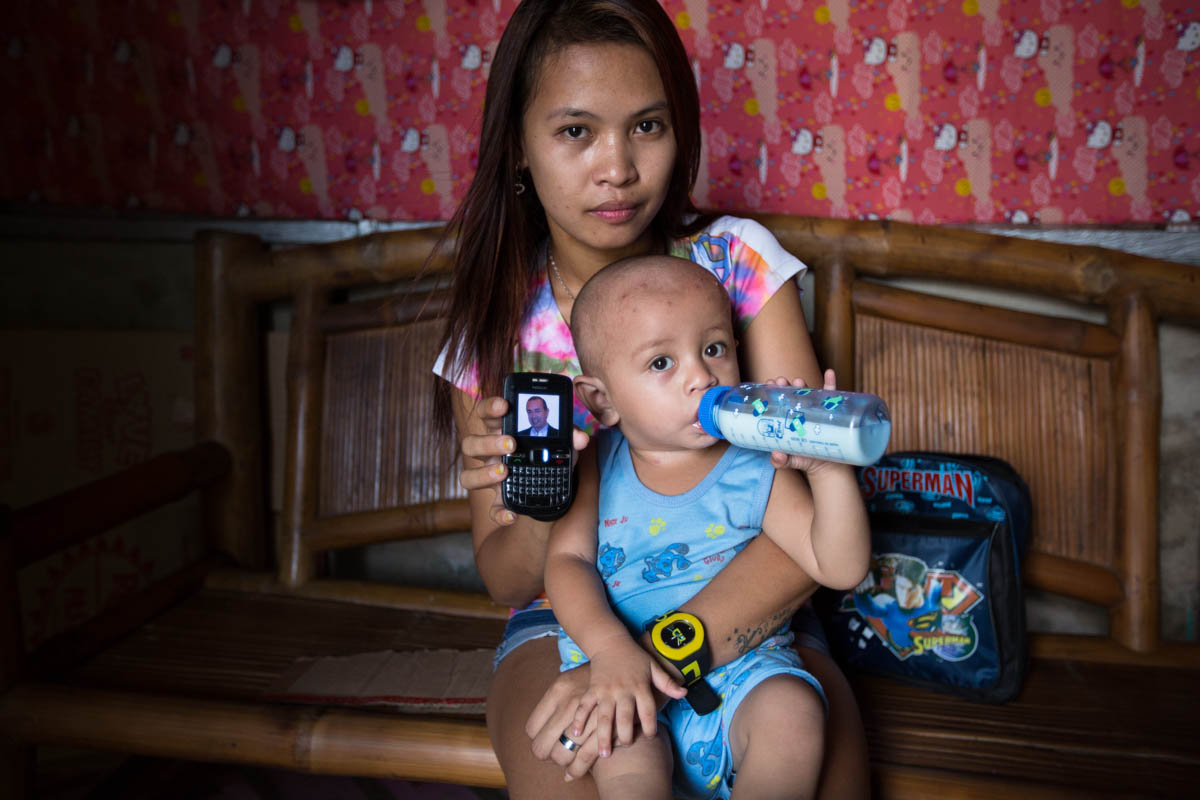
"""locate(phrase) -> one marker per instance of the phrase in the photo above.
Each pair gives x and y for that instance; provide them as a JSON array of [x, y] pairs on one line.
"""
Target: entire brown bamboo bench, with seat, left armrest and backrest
[[181, 671]]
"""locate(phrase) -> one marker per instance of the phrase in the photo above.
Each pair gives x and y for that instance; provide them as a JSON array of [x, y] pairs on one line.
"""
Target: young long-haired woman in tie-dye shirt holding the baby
[[589, 152]]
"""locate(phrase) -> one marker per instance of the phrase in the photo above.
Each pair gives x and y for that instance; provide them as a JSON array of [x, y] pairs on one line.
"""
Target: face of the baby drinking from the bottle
[[671, 345]]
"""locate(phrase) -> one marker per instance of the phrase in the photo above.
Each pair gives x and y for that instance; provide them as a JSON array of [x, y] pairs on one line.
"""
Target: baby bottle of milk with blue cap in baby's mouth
[[849, 428]]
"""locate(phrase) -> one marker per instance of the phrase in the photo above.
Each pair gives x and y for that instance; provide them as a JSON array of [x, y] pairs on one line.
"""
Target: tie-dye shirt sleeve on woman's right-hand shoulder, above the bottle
[[748, 261]]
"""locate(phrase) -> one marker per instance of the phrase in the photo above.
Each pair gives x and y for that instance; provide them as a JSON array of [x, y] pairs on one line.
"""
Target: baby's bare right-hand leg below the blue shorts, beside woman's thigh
[[777, 741]]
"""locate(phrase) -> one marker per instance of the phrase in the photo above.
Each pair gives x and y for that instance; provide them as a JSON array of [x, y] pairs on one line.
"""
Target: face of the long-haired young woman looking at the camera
[[599, 145]]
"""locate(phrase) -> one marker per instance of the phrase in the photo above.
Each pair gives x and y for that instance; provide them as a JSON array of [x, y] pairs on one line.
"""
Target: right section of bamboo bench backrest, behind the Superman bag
[[1075, 406]]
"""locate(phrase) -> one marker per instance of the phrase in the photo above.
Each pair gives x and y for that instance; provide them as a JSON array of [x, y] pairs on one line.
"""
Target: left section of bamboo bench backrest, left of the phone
[[362, 461]]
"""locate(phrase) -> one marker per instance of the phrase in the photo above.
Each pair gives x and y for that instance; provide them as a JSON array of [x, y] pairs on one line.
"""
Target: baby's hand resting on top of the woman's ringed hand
[[621, 693]]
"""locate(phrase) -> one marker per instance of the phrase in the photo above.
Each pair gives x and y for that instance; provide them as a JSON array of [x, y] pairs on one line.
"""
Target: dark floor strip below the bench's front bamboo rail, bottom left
[[86, 775]]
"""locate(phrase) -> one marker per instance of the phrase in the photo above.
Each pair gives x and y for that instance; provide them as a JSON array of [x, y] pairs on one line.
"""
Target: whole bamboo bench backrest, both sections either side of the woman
[[1073, 406]]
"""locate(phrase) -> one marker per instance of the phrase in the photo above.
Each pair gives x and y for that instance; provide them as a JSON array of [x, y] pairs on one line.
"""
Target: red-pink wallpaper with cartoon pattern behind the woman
[[987, 111]]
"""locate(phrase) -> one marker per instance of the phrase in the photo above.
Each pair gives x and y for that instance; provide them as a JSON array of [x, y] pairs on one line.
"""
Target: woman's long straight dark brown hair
[[500, 232]]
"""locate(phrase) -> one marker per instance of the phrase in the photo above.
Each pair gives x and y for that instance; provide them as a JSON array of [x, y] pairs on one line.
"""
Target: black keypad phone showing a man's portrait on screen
[[542, 471]]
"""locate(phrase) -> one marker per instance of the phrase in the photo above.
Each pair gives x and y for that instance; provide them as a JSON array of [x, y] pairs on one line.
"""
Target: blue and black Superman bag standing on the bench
[[943, 605]]
